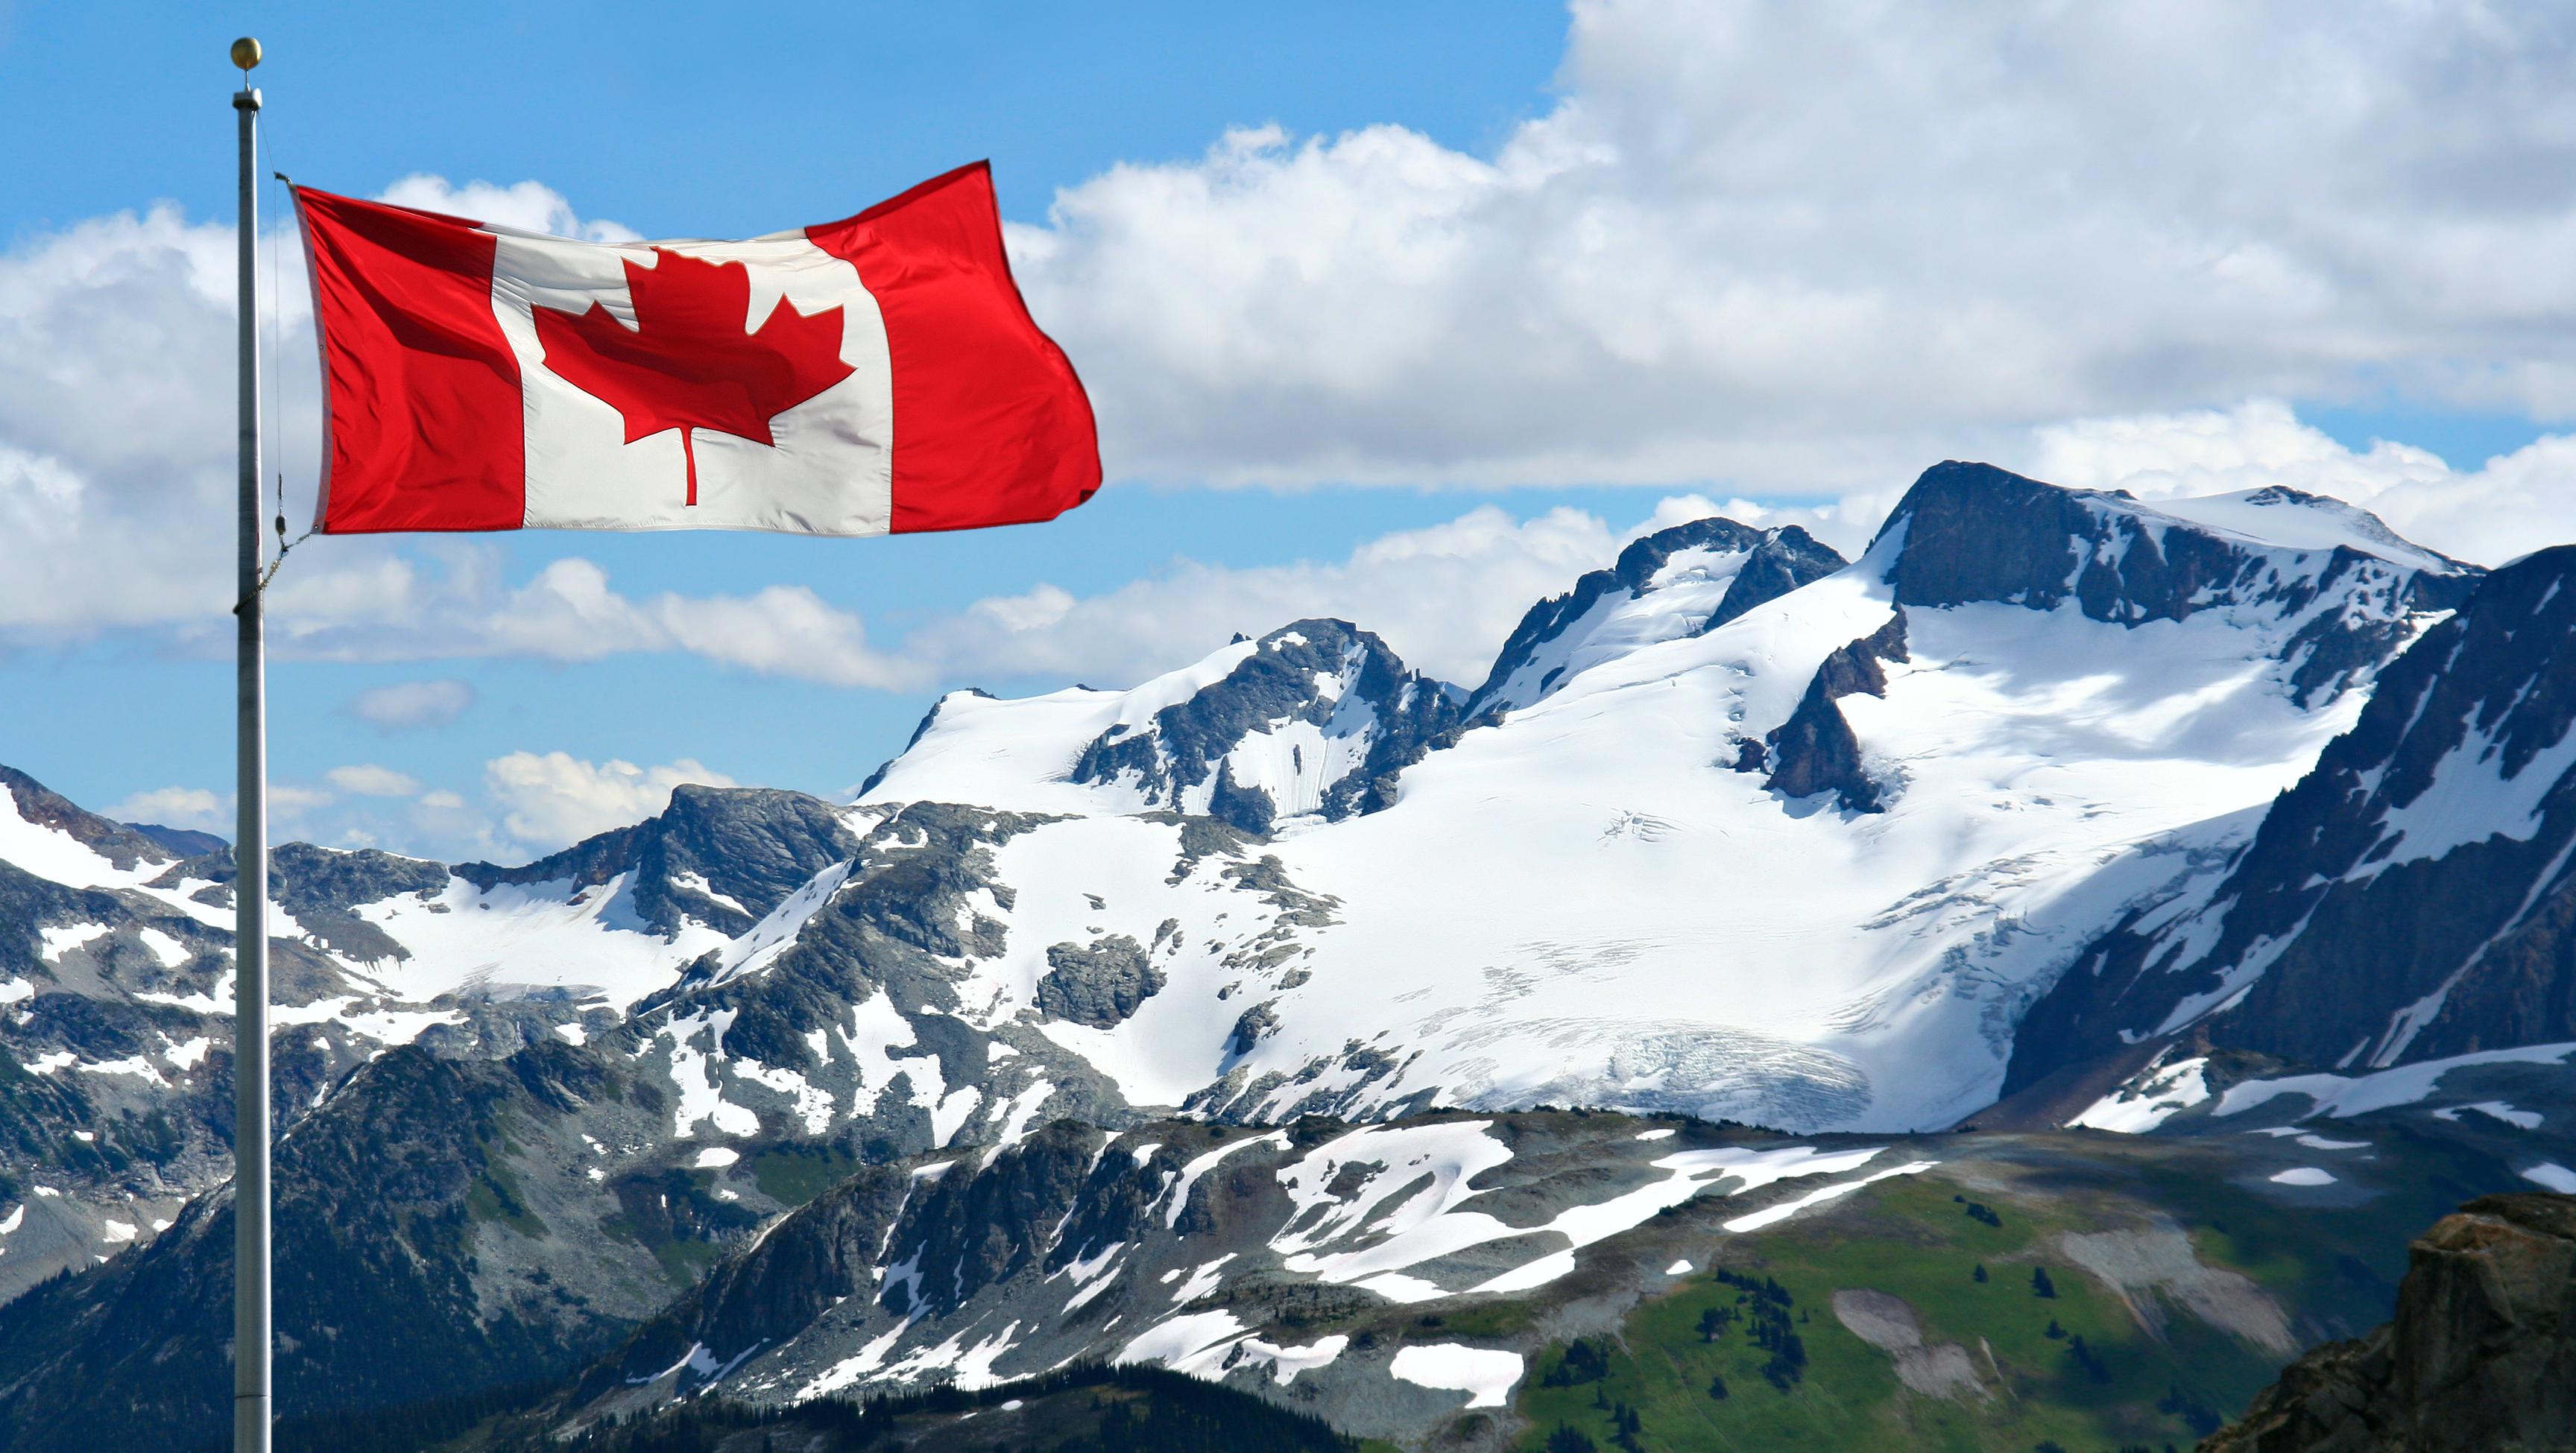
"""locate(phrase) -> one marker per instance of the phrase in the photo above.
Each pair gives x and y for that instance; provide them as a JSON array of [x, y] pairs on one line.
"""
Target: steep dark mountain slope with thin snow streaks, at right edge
[[2412, 898]]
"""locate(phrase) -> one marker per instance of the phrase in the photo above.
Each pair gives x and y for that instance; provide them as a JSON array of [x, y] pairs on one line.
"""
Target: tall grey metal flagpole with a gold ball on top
[[251, 1392]]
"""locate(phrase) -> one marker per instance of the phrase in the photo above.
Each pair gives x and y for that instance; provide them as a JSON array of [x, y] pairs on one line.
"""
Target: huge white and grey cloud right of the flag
[[1807, 246]]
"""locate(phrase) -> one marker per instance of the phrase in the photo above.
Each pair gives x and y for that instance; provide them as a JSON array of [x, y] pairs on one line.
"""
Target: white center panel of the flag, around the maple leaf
[[831, 465]]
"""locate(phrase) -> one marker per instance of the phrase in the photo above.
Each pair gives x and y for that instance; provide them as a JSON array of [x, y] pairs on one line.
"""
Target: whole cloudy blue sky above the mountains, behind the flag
[[1519, 424]]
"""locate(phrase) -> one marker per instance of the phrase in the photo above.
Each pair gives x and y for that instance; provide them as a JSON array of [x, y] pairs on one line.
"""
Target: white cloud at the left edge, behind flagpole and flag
[[117, 473]]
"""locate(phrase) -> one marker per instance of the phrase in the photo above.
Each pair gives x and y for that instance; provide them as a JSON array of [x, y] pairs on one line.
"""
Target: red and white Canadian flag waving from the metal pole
[[851, 380]]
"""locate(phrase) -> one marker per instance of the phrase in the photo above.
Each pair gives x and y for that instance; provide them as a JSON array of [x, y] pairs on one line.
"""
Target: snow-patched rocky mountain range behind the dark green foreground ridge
[[2052, 797]]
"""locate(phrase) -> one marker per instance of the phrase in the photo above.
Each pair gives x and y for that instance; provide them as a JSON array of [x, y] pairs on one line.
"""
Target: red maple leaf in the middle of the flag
[[692, 359]]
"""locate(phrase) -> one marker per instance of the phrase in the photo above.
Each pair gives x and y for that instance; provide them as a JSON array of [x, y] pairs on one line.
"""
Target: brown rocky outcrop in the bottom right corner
[[2482, 1351]]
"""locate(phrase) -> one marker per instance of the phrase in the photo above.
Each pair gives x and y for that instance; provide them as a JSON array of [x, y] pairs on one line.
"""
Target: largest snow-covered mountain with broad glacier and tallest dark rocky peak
[[1804, 867]]
